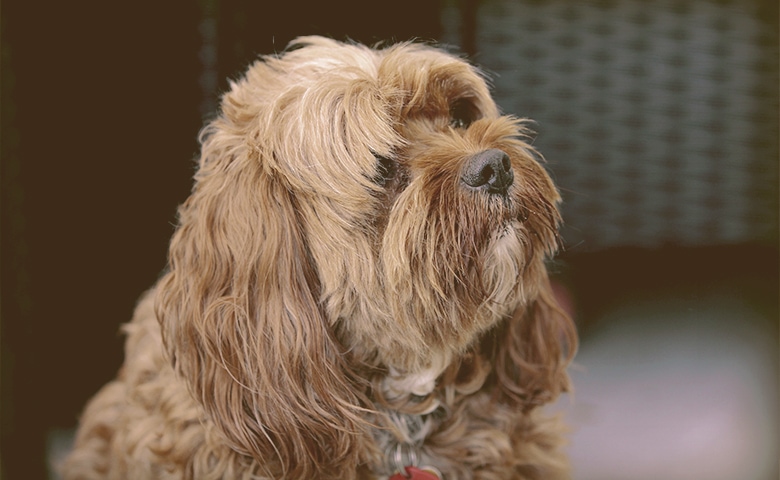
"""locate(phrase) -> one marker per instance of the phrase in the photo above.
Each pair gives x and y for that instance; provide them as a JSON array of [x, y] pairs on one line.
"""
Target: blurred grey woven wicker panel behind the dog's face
[[658, 119]]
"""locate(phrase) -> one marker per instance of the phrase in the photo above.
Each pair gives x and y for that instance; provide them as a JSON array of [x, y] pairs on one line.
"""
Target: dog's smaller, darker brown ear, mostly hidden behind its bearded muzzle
[[531, 351]]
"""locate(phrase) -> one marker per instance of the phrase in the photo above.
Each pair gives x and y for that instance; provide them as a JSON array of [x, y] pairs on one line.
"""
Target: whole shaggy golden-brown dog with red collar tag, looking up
[[357, 287]]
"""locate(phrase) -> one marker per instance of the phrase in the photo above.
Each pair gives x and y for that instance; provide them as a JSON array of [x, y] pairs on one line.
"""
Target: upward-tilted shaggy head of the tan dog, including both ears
[[357, 212]]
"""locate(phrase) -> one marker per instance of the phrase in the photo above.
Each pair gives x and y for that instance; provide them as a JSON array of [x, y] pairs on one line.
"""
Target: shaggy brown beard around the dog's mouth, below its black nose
[[456, 261]]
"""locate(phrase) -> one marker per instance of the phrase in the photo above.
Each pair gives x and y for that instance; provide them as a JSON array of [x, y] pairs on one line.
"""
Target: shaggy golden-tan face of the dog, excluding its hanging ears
[[425, 214]]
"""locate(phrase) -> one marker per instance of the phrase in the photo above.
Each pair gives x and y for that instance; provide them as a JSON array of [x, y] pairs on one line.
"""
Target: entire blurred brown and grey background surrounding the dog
[[659, 122]]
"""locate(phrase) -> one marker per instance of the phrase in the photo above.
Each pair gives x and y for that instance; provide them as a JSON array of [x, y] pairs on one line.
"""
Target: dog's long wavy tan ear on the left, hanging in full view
[[242, 325]]
